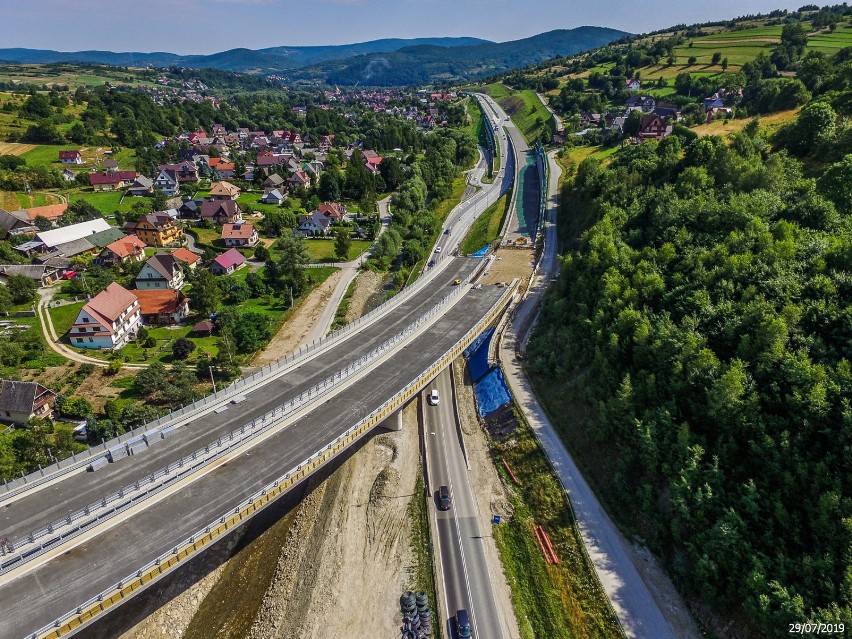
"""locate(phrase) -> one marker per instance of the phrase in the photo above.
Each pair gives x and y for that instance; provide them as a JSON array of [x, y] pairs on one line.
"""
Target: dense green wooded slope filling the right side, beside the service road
[[696, 354]]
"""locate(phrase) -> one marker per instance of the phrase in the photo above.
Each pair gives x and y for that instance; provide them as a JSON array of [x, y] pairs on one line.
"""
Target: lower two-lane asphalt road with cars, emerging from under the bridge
[[460, 547]]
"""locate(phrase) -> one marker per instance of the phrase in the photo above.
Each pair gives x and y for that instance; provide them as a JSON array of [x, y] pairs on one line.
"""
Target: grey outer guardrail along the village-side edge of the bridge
[[186, 413]]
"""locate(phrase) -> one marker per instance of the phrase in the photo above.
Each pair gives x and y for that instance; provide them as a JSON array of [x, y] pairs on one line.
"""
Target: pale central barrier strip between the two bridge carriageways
[[38, 542]]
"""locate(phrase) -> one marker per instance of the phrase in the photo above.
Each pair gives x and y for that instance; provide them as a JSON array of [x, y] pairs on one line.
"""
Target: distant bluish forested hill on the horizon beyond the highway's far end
[[427, 64]]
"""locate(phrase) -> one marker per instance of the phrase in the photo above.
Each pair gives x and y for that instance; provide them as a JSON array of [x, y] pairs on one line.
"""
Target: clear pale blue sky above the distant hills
[[207, 26]]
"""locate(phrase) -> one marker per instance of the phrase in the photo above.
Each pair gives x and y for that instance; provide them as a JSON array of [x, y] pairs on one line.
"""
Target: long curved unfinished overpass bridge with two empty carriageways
[[90, 535]]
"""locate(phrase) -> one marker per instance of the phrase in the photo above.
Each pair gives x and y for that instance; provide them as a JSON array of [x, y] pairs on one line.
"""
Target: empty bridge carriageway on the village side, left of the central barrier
[[36, 510]]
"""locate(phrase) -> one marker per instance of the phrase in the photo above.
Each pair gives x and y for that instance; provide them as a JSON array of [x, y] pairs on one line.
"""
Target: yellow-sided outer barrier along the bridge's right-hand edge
[[93, 608]]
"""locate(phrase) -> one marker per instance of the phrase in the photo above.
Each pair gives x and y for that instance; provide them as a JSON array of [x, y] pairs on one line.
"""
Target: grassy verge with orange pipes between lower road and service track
[[564, 601]]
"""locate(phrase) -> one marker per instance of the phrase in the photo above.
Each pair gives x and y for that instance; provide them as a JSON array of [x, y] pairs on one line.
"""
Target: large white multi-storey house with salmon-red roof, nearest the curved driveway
[[108, 320]]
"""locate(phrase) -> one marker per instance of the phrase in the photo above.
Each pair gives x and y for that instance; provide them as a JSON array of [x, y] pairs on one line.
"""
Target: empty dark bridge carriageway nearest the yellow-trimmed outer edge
[[46, 592]]
